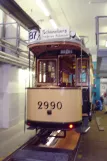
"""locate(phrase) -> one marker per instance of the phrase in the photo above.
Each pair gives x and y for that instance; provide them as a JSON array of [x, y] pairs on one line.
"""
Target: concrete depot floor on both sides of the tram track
[[93, 145]]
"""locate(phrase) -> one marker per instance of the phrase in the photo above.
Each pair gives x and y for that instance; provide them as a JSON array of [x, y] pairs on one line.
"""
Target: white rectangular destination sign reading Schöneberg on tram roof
[[55, 33]]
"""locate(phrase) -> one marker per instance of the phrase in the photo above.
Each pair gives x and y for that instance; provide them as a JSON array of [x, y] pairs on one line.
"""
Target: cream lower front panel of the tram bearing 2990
[[51, 111]]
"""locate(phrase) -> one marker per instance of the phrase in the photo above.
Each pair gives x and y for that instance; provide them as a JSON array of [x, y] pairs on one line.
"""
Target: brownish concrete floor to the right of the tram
[[93, 145]]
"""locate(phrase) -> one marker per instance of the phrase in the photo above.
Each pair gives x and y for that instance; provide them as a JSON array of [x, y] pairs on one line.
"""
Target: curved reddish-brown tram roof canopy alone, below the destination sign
[[39, 47]]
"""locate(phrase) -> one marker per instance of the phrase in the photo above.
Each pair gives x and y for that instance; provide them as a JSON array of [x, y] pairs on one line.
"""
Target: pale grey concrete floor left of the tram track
[[13, 138]]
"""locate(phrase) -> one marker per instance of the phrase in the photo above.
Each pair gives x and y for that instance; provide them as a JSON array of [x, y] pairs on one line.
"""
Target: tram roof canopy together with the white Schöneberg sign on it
[[48, 41]]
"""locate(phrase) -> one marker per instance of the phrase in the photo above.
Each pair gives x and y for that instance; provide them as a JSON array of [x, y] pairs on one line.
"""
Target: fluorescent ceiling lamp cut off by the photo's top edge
[[43, 7]]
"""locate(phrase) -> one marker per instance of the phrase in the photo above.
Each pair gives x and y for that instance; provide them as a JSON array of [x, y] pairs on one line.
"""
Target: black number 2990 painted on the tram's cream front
[[52, 105]]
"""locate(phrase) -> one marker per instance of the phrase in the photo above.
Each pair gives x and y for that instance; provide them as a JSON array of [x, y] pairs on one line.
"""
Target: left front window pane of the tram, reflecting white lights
[[47, 71]]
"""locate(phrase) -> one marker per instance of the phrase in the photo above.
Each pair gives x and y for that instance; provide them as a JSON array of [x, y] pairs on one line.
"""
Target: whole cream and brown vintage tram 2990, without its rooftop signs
[[60, 97]]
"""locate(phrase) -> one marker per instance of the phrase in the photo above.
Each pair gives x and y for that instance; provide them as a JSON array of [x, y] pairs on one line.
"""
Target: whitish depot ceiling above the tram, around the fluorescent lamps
[[79, 15]]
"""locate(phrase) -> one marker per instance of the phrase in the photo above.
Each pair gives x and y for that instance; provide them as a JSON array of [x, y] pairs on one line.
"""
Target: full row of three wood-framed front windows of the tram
[[63, 71]]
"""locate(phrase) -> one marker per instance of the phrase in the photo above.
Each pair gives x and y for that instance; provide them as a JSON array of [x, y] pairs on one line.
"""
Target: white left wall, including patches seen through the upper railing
[[12, 83]]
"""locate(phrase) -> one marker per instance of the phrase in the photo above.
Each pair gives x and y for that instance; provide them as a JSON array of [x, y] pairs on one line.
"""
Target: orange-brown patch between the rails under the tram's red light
[[70, 141]]
